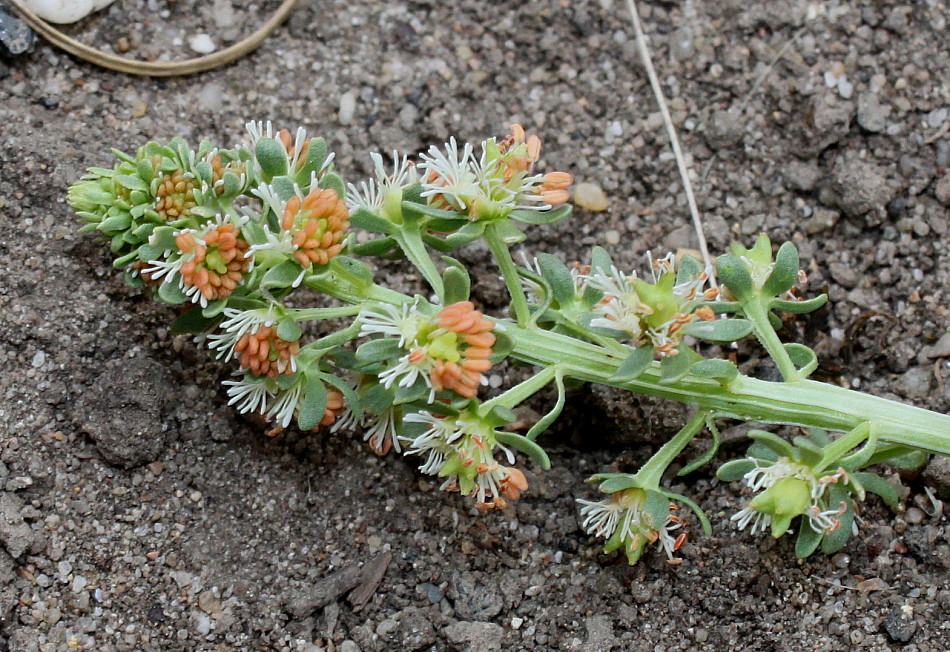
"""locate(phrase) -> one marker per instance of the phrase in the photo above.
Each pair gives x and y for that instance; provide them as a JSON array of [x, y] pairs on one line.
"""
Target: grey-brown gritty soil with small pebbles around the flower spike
[[823, 122]]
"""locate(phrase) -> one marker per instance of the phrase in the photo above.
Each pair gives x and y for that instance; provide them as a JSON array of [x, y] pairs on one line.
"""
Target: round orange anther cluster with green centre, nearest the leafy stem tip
[[217, 263]]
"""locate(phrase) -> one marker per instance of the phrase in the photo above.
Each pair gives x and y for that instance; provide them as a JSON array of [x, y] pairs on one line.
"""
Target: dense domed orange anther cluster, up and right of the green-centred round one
[[317, 224]]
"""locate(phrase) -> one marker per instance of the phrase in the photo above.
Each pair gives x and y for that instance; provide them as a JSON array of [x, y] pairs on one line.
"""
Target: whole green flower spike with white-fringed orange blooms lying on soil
[[229, 234]]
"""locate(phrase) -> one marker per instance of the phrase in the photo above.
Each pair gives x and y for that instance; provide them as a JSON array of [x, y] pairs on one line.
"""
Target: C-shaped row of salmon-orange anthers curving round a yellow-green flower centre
[[465, 375]]
